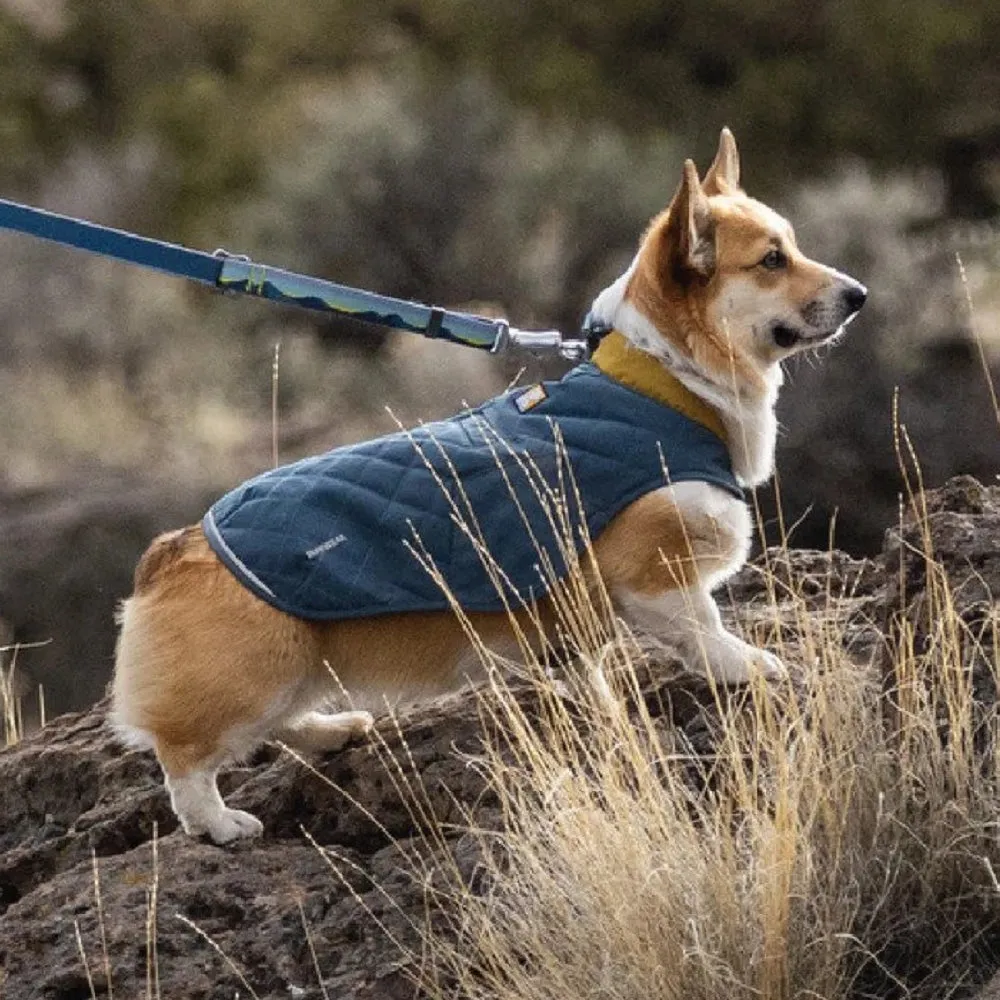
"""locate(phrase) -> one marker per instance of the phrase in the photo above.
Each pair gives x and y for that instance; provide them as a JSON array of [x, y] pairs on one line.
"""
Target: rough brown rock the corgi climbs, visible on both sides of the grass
[[100, 893]]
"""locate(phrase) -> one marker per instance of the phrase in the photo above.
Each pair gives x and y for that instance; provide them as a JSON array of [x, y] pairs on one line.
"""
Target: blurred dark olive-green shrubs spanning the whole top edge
[[214, 86]]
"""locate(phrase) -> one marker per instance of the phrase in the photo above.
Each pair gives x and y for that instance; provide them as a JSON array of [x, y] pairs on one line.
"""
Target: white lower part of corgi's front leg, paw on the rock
[[689, 620]]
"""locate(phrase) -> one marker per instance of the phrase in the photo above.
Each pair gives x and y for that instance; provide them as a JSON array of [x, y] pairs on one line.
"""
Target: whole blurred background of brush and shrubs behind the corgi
[[501, 155]]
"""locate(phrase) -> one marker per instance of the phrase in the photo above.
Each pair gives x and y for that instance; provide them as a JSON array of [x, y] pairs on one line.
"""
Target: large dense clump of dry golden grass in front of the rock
[[841, 842]]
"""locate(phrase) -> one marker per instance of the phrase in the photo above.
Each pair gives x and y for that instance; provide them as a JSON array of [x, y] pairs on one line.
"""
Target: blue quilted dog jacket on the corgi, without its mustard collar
[[337, 535]]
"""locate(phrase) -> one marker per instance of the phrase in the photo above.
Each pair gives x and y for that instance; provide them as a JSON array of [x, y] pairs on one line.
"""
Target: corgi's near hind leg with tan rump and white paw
[[204, 672]]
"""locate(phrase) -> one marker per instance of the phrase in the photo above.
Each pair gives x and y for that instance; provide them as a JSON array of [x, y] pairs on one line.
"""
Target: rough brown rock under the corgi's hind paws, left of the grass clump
[[74, 804]]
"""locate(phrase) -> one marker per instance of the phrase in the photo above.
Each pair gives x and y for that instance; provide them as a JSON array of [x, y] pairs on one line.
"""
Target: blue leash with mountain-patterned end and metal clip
[[232, 273]]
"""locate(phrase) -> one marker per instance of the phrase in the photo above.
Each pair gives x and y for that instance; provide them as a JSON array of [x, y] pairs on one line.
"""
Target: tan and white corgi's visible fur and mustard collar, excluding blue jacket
[[717, 296]]
